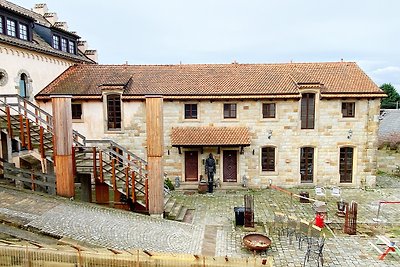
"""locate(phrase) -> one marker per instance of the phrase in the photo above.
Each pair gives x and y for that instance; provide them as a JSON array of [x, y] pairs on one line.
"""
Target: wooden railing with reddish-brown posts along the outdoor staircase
[[35, 128]]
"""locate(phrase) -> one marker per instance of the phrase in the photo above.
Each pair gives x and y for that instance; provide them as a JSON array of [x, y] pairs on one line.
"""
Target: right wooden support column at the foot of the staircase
[[155, 151]]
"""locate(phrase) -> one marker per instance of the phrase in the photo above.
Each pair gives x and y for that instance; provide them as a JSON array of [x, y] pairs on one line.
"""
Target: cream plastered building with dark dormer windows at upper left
[[35, 48]]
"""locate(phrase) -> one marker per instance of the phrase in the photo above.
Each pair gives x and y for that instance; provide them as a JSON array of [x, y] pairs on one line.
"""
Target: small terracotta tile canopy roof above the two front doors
[[210, 136]]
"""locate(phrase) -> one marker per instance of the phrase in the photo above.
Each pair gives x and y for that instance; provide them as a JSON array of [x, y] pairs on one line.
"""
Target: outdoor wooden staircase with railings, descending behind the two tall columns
[[31, 128]]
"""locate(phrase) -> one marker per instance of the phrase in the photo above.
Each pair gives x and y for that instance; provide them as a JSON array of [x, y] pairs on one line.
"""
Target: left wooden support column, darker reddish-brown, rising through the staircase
[[63, 142]]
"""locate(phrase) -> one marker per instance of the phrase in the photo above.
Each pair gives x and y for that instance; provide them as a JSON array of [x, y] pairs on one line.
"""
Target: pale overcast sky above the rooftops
[[246, 31]]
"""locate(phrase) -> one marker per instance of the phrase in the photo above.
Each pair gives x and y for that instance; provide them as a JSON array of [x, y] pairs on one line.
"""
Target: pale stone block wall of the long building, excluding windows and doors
[[330, 134]]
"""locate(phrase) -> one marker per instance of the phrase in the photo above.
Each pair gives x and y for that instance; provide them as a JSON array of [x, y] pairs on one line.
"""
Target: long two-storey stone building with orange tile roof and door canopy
[[286, 124]]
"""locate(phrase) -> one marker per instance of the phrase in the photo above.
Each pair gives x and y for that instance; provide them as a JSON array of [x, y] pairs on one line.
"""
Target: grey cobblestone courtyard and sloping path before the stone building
[[211, 229]]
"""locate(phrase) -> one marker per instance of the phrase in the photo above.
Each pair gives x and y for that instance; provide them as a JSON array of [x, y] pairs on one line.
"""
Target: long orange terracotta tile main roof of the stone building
[[215, 80]]
